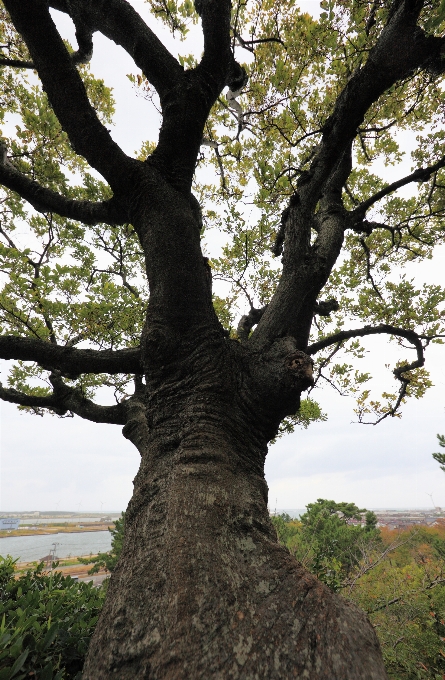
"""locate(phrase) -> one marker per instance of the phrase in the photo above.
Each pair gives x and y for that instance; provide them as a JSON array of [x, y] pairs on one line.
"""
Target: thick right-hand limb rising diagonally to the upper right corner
[[401, 49]]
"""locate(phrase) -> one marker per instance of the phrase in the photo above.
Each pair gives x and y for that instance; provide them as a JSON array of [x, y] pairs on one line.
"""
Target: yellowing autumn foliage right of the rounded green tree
[[404, 596]]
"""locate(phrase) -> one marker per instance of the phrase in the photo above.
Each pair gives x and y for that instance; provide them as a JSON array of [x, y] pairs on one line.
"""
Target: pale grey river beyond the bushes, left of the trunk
[[30, 548]]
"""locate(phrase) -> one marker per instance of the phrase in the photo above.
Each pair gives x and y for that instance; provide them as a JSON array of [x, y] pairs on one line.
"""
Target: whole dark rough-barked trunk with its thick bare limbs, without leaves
[[203, 590]]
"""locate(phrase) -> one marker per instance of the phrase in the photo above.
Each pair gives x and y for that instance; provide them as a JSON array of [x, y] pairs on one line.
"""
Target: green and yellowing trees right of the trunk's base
[[397, 577]]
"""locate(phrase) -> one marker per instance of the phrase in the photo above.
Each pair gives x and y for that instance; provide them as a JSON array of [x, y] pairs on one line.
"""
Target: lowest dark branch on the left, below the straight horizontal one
[[66, 399]]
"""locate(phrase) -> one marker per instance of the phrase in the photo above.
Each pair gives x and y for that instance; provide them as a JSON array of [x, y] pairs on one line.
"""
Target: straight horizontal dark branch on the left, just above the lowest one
[[69, 360]]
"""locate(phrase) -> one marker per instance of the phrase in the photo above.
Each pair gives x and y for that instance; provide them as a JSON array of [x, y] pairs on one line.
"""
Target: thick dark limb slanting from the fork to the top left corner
[[67, 93]]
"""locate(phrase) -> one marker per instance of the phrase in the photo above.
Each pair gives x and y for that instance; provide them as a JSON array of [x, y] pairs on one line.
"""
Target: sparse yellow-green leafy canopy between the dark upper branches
[[69, 283]]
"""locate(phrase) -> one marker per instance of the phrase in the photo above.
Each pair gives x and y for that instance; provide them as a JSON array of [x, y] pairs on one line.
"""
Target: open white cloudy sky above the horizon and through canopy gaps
[[51, 463]]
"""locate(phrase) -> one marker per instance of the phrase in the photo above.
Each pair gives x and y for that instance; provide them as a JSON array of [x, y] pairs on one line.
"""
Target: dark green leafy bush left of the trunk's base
[[46, 623]]
